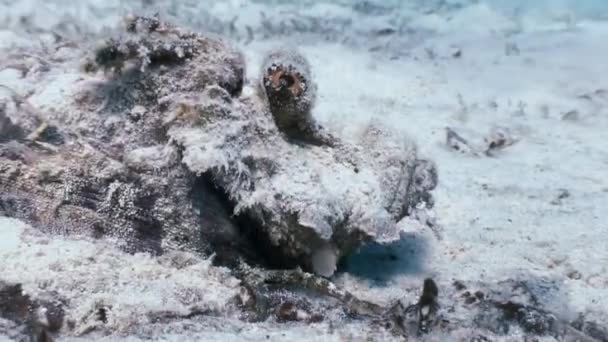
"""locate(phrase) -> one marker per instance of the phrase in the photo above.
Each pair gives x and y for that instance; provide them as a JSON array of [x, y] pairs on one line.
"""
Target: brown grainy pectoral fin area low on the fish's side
[[67, 192]]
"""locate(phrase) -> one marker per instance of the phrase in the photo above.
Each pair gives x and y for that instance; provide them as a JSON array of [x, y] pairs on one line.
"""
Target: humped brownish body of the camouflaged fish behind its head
[[115, 173]]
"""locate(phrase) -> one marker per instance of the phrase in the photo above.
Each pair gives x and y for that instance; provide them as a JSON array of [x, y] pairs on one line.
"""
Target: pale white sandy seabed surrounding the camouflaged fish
[[533, 210]]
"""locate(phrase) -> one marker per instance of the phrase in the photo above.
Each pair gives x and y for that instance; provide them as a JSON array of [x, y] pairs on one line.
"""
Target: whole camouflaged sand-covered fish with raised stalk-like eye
[[169, 110]]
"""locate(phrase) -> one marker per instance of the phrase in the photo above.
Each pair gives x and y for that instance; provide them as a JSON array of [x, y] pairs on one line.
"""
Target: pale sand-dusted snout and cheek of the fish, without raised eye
[[303, 197]]
